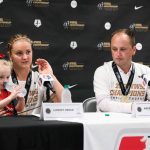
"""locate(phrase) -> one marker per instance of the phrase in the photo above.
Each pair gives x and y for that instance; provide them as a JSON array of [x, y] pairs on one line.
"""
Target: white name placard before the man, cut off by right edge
[[141, 109]]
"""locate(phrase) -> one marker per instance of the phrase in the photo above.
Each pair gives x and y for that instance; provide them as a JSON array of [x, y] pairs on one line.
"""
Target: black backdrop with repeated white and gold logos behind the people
[[74, 35]]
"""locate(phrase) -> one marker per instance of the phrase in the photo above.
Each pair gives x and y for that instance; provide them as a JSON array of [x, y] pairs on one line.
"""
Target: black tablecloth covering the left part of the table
[[30, 133]]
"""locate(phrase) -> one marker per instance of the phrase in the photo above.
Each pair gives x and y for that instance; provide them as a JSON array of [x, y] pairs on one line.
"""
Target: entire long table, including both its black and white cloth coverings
[[112, 131]]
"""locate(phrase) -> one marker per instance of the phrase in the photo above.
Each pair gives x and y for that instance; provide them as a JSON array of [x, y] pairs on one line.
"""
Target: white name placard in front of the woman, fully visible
[[50, 111]]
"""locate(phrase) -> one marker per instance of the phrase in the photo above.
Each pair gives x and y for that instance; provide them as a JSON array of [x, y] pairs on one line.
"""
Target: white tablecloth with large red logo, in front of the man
[[106, 131]]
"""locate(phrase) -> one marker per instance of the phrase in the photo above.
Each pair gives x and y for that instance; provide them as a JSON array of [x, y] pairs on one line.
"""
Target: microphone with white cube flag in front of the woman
[[47, 81]]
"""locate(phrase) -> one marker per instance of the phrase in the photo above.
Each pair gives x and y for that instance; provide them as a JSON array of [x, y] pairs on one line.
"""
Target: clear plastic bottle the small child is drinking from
[[10, 86]]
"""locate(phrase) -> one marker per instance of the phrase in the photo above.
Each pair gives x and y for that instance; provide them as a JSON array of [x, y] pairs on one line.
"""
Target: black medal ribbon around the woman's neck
[[28, 82]]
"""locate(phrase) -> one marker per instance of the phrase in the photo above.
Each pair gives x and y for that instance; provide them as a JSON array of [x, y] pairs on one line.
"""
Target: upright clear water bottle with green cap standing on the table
[[66, 95]]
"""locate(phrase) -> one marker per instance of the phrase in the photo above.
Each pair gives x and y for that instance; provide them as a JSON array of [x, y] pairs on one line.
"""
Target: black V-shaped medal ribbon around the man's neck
[[124, 90]]
